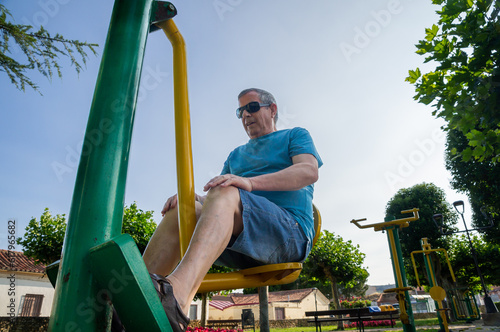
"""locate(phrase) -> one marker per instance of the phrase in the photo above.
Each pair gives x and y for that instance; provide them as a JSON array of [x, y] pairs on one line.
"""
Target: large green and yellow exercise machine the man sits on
[[99, 265]]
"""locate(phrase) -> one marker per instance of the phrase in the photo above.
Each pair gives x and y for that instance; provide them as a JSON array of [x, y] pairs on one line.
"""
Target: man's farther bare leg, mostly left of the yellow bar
[[163, 251]]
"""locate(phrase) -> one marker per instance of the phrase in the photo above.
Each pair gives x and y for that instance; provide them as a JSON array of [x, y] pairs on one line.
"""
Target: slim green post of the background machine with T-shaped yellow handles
[[400, 275]]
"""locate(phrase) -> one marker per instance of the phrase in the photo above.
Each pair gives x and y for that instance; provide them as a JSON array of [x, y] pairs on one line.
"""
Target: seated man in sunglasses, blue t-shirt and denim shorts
[[258, 211]]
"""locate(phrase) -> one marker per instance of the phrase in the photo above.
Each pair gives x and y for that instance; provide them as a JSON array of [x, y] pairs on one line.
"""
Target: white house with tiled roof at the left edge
[[25, 288]]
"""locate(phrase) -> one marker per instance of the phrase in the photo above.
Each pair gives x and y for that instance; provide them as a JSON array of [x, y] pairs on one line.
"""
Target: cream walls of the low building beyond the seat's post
[[293, 310]]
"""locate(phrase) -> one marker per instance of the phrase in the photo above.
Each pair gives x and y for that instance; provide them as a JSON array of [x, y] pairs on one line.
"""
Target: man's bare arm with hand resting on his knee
[[303, 172]]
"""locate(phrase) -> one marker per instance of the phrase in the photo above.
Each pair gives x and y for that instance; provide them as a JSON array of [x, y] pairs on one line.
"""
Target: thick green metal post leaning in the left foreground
[[97, 206]]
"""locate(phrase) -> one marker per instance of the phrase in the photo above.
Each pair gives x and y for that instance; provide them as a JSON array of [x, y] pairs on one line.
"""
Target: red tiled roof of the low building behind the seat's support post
[[223, 302]]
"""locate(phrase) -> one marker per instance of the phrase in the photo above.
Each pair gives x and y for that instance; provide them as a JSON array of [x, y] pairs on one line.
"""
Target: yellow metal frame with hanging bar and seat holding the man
[[274, 274]]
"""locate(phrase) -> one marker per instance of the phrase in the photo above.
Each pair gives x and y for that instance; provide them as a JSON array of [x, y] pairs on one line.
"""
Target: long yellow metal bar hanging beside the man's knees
[[184, 156]]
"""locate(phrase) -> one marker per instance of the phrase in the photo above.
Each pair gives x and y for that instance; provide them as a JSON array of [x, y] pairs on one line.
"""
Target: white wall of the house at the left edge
[[14, 286]]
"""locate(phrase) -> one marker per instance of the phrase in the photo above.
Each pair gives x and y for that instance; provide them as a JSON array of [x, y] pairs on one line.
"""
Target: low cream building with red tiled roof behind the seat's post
[[291, 304]]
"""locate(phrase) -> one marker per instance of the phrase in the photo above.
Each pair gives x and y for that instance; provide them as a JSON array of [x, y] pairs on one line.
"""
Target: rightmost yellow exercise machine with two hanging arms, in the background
[[437, 293]]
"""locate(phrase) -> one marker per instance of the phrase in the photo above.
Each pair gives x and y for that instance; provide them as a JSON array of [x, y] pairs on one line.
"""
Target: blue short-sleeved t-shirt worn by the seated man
[[271, 153]]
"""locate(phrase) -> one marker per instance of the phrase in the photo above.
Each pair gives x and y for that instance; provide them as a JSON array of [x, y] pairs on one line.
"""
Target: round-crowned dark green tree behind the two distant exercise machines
[[430, 200]]
